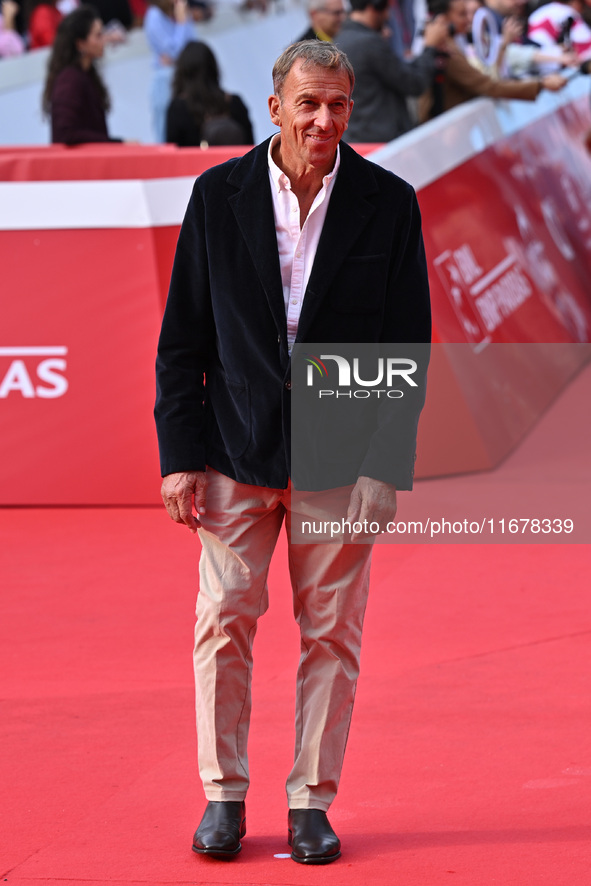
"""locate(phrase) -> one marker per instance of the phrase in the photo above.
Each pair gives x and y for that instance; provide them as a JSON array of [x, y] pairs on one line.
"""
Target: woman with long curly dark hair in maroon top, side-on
[[75, 96]]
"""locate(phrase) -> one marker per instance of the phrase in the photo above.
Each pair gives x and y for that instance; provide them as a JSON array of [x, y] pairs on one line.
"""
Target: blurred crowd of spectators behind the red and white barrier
[[411, 62]]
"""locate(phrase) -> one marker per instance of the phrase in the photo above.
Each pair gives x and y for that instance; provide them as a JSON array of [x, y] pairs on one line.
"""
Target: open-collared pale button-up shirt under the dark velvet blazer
[[297, 246]]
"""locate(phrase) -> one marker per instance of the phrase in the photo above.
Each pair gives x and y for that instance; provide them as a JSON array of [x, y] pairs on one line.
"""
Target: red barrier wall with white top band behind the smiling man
[[88, 234]]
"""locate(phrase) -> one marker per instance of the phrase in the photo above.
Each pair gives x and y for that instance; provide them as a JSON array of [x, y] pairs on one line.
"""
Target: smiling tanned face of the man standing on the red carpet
[[312, 114]]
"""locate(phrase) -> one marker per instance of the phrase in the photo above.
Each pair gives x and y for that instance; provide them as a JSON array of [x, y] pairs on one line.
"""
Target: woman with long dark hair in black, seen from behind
[[200, 110]]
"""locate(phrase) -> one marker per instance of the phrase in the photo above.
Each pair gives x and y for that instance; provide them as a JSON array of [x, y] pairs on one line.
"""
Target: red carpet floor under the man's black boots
[[469, 760]]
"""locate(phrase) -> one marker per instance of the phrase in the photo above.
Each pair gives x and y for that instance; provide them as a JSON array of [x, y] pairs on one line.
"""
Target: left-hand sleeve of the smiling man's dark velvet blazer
[[186, 339]]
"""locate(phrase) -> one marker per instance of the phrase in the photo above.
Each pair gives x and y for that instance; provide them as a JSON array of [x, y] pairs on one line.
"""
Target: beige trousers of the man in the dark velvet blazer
[[330, 584]]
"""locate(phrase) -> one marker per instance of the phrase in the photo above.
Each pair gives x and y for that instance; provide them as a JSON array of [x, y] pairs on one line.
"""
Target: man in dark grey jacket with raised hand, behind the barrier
[[383, 79]]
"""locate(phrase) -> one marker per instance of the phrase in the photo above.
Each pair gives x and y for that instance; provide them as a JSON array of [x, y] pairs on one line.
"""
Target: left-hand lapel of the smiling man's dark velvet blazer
[[252, 205]]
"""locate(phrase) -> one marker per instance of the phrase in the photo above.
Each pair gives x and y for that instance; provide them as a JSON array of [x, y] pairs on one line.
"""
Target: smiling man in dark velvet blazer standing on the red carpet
[[299, 240]]
